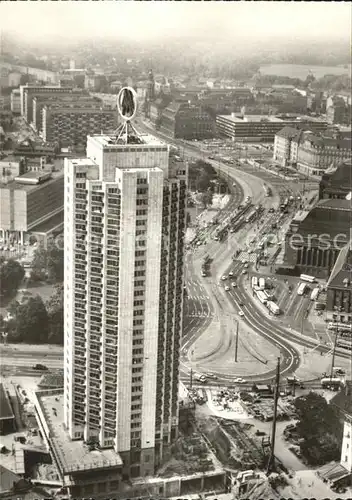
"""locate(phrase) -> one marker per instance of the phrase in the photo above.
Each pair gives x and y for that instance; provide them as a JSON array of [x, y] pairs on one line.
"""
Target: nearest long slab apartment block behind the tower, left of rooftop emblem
[[69, 125]]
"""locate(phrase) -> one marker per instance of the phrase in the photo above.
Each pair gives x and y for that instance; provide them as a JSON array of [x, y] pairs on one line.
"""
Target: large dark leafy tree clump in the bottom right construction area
[[320, 429]]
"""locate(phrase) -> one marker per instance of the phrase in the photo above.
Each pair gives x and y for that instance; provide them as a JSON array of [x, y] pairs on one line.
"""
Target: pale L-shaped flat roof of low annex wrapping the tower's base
[[74, 456]]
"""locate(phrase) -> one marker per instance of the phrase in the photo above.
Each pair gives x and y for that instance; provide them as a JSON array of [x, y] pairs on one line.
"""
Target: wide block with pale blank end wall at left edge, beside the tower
[[31, 203]]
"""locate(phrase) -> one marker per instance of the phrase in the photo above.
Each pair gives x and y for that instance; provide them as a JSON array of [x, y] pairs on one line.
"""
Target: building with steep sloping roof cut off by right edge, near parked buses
[[339, 288]]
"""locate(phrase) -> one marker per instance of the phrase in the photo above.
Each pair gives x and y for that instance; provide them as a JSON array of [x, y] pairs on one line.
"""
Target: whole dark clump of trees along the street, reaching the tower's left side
[[35, 322]]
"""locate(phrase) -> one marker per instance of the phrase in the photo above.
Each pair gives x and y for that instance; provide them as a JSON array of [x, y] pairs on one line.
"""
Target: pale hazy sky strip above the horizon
[[159, 19]]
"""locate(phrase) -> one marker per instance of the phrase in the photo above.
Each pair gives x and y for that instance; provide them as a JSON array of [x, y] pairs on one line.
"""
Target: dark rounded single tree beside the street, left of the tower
[[31, 322]]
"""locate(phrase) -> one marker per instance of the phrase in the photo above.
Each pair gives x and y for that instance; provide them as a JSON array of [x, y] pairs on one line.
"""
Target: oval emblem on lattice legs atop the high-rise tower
[[127, 109]]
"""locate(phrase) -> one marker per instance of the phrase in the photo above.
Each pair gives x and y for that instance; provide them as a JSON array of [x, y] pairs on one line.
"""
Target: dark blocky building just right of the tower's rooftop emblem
[[187, 121]]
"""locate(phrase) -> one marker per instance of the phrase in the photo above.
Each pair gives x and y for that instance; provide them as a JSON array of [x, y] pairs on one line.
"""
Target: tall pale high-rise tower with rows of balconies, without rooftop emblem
[[125, 221]]
